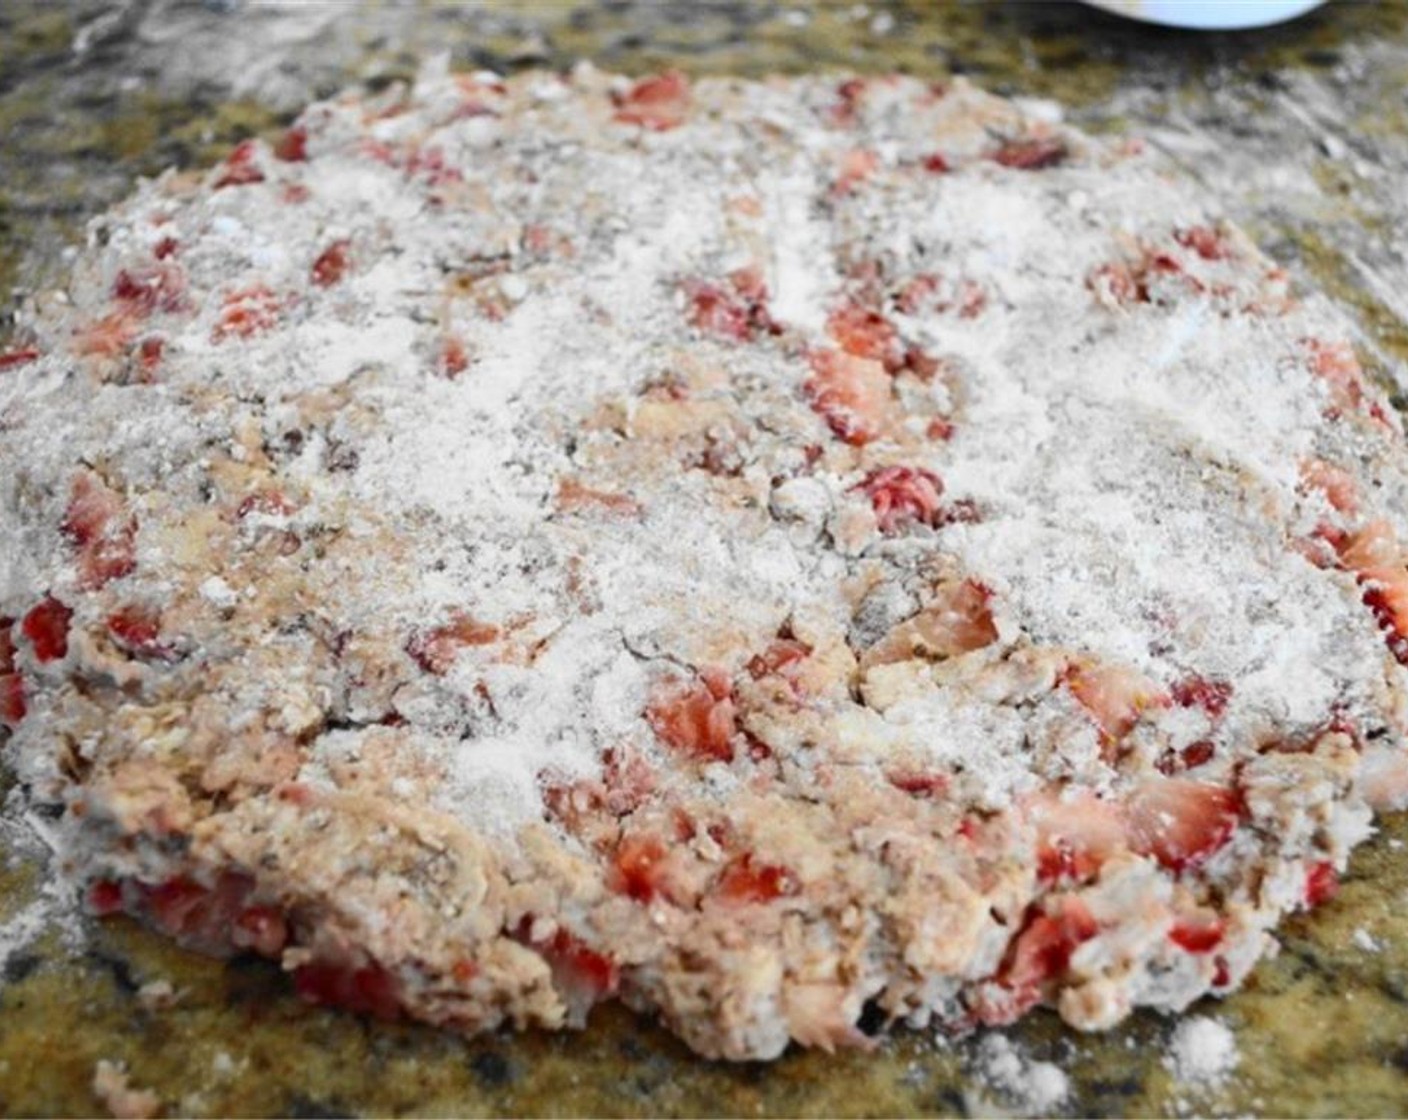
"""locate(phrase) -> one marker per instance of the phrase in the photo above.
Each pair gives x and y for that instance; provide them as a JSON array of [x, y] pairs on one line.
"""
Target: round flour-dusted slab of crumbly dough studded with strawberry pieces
[[758, 552]]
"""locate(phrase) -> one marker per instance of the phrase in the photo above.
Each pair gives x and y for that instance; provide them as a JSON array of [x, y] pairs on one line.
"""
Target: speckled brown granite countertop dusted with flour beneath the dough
[[1303, 130]]
